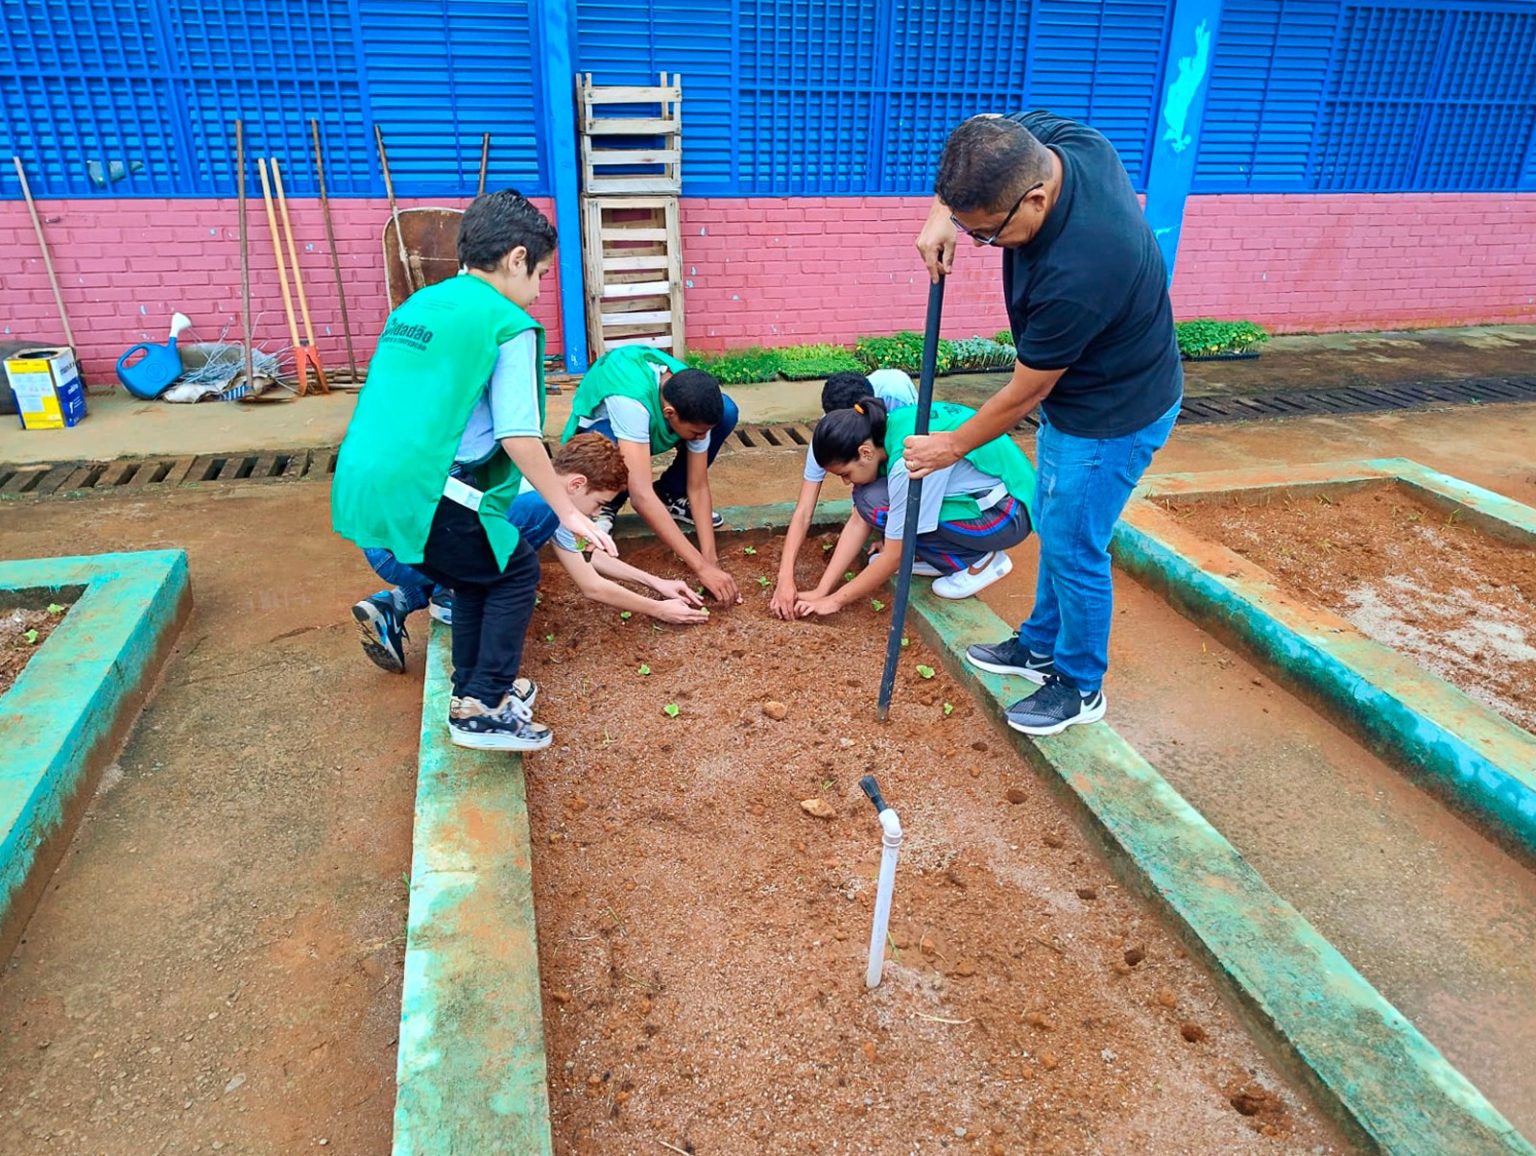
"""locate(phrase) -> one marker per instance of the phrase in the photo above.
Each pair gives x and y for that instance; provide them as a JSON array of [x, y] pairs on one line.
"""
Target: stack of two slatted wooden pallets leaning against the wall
[[632, 243]]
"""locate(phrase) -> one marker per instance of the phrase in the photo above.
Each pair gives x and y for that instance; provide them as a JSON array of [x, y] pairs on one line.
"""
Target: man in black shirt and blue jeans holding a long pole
[[1087, 296]]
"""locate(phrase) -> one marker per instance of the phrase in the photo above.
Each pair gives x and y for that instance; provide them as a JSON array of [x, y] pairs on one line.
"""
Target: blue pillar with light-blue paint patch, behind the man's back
[[1176, 137]]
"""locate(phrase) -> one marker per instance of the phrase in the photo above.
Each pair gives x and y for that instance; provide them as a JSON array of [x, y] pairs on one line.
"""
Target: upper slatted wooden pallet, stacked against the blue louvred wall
[[631, 137]]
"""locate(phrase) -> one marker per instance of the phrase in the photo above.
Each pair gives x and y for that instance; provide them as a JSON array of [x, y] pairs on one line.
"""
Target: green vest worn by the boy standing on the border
[[431, 368]]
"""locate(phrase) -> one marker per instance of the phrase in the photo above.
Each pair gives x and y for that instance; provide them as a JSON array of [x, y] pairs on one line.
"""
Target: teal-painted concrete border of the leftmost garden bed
[[73, 695]]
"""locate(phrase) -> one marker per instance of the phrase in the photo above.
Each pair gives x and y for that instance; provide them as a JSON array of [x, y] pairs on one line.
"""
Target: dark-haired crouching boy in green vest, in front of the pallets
[[650, 405]]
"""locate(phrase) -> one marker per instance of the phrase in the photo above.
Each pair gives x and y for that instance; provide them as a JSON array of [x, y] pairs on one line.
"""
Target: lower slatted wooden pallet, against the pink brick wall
[[632, 251]]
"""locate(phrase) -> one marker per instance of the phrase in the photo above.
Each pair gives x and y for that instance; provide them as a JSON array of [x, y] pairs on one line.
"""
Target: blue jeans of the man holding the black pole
[[1084, 486]]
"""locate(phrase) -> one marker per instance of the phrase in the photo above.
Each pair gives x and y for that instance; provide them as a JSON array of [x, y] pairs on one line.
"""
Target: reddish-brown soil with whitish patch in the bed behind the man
[[1408, 575]]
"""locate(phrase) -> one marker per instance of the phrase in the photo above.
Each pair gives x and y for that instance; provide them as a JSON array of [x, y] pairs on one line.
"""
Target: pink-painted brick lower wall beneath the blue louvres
[[783, 271]]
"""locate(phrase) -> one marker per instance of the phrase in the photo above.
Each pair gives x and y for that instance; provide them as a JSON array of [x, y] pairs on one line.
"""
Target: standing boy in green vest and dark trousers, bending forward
[[446, 429]]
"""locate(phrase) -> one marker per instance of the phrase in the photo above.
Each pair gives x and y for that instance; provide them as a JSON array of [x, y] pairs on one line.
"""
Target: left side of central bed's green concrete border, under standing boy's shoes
[[471, 1074]]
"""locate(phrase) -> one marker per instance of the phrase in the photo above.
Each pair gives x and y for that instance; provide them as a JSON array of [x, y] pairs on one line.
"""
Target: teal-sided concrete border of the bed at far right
[[1478, 761]]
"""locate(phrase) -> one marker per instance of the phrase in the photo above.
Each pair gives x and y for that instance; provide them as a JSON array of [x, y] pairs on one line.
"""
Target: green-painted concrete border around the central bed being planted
[[472, 1065]]
